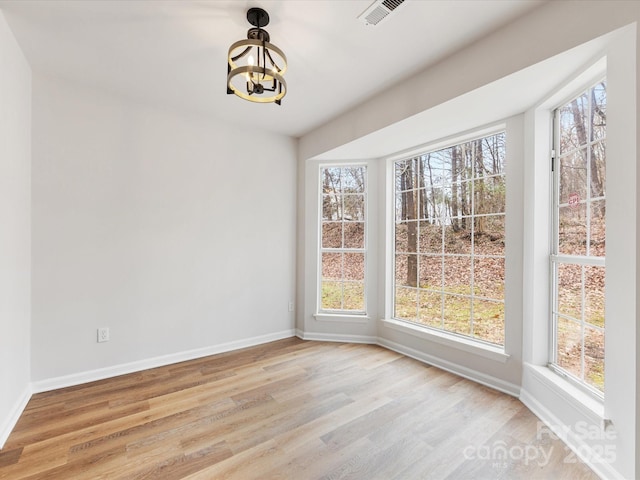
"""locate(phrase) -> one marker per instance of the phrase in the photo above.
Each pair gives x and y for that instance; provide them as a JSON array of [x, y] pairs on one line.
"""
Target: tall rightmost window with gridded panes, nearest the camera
[[578, 246]]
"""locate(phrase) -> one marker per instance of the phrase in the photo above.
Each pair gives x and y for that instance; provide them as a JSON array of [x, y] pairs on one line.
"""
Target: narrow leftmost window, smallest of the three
[[343, 239]]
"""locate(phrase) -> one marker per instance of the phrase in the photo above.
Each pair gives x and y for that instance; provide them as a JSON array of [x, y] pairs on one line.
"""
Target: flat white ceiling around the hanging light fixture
[[172, 53]]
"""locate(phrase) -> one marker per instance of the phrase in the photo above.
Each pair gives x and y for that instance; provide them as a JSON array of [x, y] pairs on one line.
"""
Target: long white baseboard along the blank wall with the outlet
[[108, 372]]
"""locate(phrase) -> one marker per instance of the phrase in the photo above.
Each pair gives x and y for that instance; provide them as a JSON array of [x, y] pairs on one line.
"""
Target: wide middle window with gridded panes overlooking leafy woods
[[449, 239]]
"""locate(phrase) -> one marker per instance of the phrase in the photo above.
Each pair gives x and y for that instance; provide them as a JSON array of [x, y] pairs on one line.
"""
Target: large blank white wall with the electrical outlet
[[177, 233]]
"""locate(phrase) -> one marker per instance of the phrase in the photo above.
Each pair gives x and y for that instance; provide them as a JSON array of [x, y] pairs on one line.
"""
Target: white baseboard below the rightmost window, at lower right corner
[[578, 446]]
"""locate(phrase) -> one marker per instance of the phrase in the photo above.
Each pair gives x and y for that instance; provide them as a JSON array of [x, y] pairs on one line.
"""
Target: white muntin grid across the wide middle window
[[469, 180]]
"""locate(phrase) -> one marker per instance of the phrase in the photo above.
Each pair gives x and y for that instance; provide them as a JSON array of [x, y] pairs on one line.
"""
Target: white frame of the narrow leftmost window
[[342, 314]]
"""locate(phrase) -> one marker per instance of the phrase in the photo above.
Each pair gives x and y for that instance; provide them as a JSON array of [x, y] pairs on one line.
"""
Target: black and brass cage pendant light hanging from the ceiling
[[255, 67]]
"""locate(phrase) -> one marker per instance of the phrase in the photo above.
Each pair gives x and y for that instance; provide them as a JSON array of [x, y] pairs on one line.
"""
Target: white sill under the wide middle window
[[487, 351]]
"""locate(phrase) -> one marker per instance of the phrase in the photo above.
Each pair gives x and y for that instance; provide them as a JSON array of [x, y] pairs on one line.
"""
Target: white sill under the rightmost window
[[590, 406]]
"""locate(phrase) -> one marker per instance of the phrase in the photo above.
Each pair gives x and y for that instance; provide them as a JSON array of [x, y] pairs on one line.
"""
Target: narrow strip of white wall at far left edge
[[15, 230]]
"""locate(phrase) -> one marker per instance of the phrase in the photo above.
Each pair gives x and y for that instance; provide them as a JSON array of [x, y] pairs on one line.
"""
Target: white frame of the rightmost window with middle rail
[[556, 259]]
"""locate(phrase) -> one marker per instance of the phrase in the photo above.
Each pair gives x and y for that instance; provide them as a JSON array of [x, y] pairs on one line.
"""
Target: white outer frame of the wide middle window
[[450, 338]]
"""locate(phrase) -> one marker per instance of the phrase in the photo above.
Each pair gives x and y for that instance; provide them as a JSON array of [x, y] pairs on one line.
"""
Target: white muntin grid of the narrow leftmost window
[[343, 281]]
